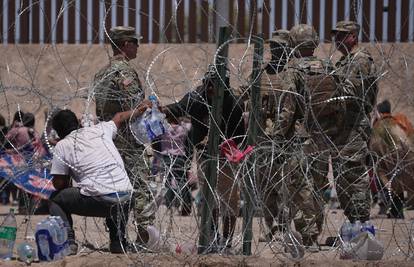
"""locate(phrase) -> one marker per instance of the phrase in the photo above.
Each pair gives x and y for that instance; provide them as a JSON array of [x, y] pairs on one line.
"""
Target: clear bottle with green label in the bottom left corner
[[8, 231]]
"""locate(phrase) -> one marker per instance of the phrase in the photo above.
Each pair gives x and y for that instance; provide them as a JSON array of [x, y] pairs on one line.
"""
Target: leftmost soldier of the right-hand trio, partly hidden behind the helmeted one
[[270, 90]]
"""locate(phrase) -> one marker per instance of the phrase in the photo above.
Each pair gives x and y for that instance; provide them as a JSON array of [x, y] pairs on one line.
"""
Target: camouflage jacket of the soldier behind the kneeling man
[[117, 88]]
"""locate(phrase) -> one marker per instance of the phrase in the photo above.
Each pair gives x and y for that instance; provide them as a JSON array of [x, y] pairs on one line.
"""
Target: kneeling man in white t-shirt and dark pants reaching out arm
[[89, 157]]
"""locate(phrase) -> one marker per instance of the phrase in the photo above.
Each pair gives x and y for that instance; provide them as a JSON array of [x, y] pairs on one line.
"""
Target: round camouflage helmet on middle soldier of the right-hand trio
[[303, 35]]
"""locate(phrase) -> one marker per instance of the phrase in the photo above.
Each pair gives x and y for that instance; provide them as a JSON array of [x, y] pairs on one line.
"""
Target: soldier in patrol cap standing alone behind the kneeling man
[[117, 88]]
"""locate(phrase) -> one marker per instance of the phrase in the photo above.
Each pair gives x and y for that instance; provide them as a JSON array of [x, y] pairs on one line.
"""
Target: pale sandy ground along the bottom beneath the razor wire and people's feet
[[394, 235]]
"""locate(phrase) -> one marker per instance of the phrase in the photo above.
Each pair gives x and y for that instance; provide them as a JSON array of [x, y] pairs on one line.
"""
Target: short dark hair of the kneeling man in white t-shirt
[[64, 122]]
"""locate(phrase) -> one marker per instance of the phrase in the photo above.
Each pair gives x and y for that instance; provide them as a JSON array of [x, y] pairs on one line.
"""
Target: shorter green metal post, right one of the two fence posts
[[254, 117]]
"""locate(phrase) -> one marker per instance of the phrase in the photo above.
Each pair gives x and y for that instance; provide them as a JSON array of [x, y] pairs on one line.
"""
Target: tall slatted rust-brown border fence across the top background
[[193, 21]]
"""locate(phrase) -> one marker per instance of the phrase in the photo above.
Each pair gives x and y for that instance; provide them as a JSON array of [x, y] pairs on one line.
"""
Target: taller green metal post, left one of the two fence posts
[[213, 143]]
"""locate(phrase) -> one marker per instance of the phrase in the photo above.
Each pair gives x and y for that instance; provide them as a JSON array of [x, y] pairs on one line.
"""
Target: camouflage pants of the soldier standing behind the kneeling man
[[143, 202]]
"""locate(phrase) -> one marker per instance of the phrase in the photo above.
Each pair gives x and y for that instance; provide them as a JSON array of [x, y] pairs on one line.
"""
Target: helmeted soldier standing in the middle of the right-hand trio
[[304, 79]]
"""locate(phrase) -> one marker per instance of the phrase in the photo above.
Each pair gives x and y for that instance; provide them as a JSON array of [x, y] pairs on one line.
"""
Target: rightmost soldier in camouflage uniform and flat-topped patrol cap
[[357, 75]]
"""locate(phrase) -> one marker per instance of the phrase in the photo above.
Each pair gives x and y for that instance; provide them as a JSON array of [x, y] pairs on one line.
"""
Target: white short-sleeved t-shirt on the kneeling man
[[89, 155]]
